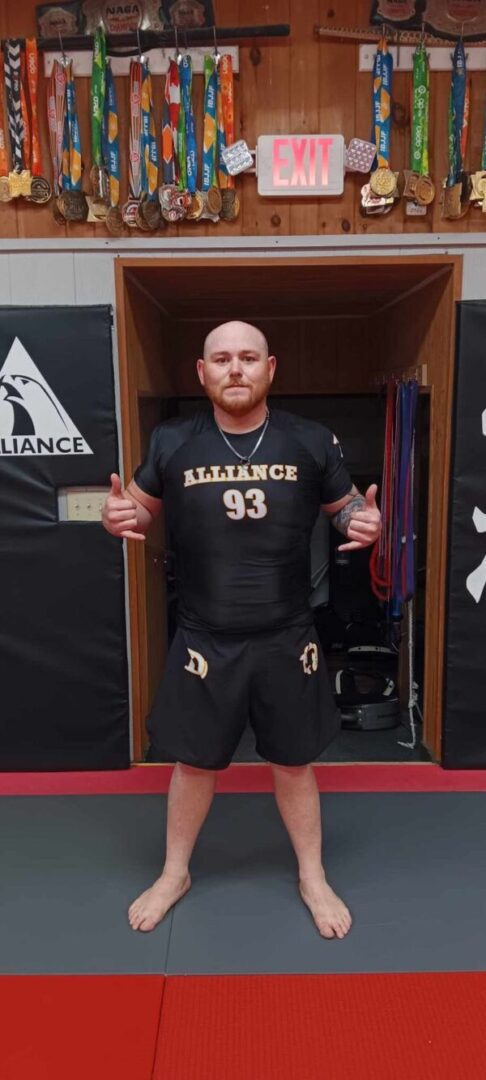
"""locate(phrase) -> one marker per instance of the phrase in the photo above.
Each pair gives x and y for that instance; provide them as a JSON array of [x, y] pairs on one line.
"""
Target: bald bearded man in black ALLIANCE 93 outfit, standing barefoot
[[242, 488]]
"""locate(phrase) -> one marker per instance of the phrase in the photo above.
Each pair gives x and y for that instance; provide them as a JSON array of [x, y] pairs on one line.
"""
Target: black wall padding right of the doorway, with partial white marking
[[465, 698]]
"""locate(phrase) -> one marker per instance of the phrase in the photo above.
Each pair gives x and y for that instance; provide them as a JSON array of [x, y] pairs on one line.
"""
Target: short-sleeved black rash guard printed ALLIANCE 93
[[241, 534]]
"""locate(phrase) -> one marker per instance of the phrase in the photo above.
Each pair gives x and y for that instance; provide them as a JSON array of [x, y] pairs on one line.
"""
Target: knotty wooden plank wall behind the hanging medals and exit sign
[[299, 85]]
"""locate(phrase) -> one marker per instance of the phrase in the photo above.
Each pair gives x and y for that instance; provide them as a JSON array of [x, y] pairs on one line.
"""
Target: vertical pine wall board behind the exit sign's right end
[[337, 110]]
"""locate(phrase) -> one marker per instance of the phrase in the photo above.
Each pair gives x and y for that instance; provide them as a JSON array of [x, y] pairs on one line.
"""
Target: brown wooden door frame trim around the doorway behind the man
[[439, 479]]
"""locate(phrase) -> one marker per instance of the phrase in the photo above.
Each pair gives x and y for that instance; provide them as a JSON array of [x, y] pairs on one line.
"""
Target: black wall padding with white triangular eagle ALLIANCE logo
[[63, 646]]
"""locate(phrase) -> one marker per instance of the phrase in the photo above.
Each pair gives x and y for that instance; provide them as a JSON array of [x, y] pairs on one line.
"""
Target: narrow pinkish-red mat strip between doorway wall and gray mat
[[155, 780]]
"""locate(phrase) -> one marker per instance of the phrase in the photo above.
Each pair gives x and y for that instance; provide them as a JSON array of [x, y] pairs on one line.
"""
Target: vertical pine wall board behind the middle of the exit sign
[[304, 111]]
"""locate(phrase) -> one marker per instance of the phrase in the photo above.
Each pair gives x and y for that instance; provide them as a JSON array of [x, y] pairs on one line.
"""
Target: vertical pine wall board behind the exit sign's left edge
[[265, 111]]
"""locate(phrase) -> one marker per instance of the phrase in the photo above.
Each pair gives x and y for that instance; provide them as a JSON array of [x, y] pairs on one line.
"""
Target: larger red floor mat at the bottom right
[[323, 1028]]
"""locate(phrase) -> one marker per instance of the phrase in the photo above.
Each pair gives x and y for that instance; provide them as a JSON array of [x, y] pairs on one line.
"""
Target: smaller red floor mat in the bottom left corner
[[79, 1028]]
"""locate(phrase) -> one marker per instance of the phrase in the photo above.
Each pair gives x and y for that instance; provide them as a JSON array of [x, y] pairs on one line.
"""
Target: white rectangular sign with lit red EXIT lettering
[[301, 166]]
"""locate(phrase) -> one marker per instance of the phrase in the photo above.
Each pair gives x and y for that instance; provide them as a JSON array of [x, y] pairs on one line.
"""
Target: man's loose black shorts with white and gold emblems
[[214, 684]]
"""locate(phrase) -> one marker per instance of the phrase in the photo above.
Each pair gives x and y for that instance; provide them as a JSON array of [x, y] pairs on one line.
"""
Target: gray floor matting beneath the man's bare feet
[[411, 867]]
